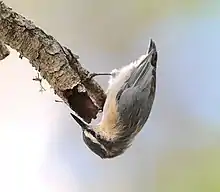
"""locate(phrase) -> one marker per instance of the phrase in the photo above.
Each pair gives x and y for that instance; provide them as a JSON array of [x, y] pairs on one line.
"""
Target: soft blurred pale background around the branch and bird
[[41, 148]]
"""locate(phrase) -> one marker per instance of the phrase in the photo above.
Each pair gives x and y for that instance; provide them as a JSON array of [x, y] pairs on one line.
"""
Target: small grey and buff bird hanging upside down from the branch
[[130, 97]]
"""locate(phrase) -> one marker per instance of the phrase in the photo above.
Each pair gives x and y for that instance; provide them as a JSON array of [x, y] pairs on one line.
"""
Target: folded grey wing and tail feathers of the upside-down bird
[[136, 96]]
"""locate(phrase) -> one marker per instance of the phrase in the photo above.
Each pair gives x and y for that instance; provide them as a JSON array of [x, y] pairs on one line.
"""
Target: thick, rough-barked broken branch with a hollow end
[[57, 64]]
